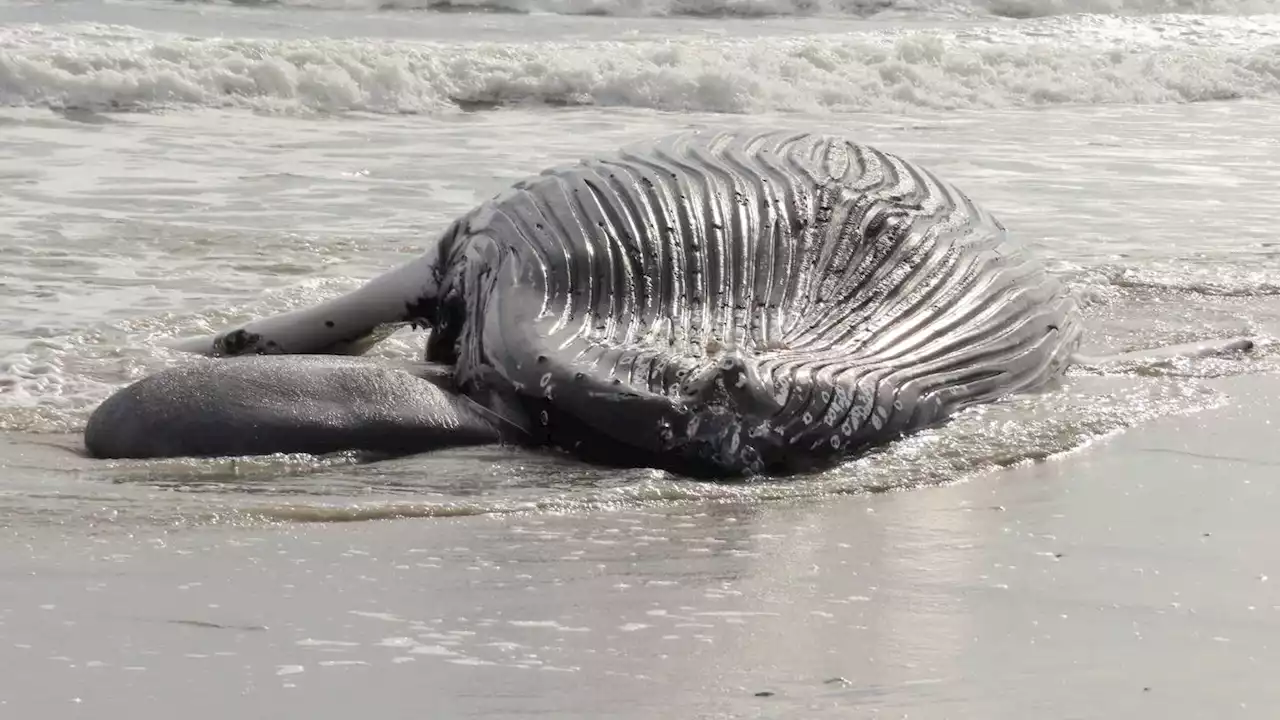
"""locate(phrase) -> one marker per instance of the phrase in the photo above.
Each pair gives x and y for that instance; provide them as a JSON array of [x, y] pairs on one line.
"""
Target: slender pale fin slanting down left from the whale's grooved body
[[349, 325]]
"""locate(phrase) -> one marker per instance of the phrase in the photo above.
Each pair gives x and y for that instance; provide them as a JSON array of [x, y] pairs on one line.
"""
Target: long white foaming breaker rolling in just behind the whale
[[1100, 61]]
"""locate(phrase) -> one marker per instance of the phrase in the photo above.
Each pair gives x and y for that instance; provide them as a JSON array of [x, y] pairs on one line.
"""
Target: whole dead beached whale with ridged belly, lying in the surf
[[716, 304]]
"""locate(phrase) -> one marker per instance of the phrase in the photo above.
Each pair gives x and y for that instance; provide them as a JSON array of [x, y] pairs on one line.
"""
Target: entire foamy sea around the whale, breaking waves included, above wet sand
[[171, 168]]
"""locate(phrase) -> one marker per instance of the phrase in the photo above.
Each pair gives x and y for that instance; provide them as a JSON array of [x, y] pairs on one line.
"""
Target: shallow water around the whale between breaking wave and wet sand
[[166, 235]]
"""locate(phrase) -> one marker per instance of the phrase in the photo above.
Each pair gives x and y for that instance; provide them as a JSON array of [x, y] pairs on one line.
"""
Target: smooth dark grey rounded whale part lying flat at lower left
[[260, 405]]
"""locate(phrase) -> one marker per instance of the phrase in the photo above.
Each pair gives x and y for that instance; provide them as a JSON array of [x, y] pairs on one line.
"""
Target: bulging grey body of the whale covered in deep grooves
[[744, 303]]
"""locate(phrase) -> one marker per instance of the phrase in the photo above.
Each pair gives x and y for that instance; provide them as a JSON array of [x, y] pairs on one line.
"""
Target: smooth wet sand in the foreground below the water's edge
[[1136, 577]]
